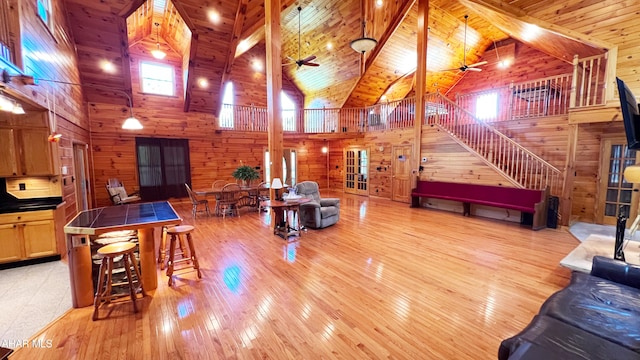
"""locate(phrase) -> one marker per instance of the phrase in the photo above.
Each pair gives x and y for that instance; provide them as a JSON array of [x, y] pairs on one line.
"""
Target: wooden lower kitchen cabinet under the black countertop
[[27, 235]]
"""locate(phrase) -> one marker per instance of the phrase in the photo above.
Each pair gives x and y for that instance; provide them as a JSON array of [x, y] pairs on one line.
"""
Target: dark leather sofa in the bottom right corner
[[597, 316]]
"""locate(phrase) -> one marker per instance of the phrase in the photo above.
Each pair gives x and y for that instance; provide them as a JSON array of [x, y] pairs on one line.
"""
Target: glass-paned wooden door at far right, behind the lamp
[[616, 195]]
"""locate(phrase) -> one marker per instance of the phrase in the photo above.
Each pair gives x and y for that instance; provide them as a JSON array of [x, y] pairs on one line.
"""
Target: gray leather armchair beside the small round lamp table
[[318, 213]]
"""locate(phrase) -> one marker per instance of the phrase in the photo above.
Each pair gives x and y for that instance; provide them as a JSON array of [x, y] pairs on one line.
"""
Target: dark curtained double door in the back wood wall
[[163, 168]]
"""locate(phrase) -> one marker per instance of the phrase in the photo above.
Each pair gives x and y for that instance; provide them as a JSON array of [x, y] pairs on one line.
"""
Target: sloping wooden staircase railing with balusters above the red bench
[[522, 167]]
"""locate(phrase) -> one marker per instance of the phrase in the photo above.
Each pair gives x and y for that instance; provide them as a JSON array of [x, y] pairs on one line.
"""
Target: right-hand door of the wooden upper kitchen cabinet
[[35, 150]]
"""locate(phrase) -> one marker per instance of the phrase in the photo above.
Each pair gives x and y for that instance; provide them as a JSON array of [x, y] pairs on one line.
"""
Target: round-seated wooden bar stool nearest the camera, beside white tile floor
[[104, 287]]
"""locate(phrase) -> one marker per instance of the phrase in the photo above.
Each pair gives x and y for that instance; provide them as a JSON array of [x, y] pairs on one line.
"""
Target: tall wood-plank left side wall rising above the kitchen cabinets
[[50, 54]]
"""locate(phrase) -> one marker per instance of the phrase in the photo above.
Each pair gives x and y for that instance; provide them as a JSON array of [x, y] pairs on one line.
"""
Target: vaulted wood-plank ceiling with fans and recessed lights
[[209, 43]]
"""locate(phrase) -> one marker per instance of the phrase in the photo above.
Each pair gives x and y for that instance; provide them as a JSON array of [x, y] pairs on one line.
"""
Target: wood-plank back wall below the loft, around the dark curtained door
[[214, 154]]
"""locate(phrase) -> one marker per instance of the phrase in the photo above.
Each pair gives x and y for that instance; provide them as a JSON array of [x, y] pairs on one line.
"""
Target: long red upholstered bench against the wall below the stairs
[[524, 200]]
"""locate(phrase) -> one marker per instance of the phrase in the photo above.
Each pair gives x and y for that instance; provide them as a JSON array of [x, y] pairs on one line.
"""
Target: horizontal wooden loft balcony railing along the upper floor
[[548, 96]]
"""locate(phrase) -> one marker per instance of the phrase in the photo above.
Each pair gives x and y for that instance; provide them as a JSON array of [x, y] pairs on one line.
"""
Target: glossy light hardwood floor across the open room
[[387, 281]]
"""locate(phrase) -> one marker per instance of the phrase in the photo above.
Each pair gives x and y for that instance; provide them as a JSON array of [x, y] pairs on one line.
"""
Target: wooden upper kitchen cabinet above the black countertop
[[29, 152]]
